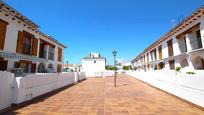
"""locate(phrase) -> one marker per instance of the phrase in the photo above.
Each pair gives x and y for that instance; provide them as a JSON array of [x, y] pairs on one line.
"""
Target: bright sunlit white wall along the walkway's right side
[[188, 87]]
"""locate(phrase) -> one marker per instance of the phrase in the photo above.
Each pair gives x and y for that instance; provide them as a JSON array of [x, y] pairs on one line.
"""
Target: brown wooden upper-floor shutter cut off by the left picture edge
[[3, 26]]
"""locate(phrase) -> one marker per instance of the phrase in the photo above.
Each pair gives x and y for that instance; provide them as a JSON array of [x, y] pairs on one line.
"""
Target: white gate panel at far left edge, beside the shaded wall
[[6, 84]]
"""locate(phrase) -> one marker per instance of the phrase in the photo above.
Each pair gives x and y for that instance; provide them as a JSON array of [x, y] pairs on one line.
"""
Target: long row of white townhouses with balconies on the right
[[183, 47]]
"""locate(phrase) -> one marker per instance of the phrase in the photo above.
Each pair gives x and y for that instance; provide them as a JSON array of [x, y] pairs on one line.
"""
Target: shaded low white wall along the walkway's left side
[[21, 89]]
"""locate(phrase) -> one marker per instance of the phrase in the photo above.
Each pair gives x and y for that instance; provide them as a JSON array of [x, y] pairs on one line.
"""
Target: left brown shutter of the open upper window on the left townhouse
[[19, 48]]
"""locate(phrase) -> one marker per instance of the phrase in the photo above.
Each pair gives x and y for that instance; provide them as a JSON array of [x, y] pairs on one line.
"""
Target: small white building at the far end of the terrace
[[93, 63]]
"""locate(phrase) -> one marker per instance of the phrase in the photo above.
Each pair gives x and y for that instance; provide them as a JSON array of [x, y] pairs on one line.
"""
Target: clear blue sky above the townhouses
[[128, 26]]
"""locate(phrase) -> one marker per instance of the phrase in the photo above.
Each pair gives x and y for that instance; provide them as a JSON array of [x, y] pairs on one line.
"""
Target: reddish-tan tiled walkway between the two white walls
[[97, 96]]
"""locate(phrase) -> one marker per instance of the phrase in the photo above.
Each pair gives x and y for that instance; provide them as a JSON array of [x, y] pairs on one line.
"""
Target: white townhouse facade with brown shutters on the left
[[23, 45]]
